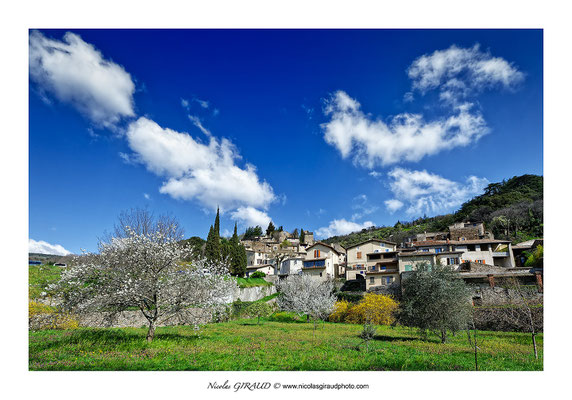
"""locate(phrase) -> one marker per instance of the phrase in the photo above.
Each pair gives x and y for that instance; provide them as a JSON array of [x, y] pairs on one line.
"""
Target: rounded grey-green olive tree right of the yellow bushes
[[435, 299]]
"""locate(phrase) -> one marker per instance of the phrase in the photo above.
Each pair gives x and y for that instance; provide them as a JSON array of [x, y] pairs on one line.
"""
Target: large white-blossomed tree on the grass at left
[[144, 270]]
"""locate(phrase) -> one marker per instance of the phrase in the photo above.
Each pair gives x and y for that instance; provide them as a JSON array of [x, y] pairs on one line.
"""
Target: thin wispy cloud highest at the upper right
[[459, 72]]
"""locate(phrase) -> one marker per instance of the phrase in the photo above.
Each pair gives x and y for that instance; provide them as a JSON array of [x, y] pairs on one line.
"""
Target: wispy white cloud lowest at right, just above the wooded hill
[[424, 192]]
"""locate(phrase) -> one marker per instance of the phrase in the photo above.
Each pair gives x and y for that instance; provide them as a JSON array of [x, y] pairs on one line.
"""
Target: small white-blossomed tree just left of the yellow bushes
[[308, 295]]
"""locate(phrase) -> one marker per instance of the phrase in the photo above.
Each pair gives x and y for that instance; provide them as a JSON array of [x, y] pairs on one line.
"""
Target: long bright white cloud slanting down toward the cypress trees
[[206, 172]]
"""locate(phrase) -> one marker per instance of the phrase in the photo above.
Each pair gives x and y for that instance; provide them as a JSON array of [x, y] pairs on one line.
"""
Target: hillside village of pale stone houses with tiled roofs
[[377, 264]]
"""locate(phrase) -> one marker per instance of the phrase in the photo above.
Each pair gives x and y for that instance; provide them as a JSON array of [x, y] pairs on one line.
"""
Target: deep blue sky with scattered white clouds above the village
[[331, 131]]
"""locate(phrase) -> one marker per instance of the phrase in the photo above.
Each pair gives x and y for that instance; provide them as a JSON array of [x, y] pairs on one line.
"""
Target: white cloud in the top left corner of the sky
[[75, 72]]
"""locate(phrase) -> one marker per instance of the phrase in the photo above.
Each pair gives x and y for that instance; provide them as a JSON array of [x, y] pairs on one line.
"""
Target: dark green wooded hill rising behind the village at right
[[511, 209]]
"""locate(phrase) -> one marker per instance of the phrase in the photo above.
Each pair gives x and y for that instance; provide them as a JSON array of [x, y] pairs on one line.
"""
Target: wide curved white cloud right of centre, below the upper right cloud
[[407, 137]]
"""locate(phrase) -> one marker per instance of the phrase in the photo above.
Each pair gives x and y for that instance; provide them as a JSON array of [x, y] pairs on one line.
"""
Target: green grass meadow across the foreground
[[274, 346]]
